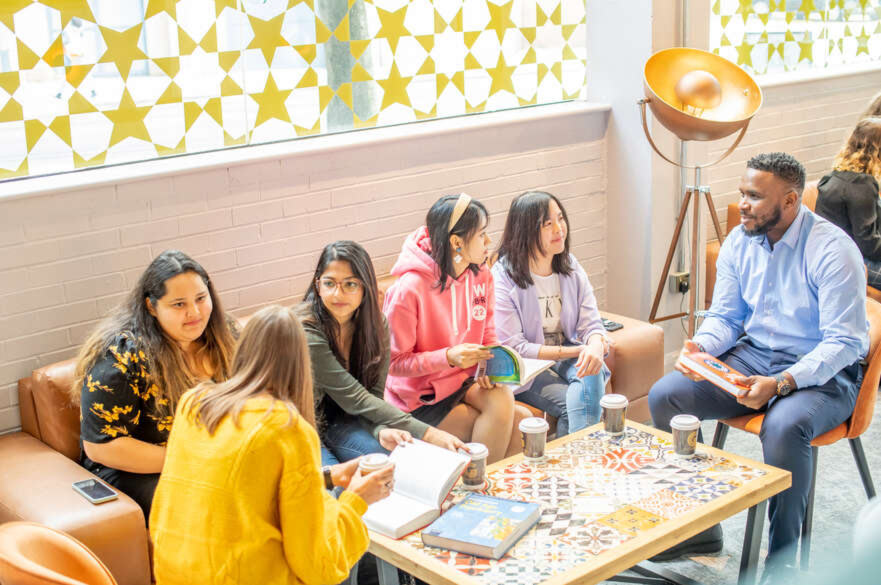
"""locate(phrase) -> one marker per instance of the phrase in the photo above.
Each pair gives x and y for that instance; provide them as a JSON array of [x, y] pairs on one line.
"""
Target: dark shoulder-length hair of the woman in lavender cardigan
[[521, 241]]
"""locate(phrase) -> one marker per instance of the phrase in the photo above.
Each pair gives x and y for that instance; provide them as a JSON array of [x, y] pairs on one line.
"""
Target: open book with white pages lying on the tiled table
[[424, 475]]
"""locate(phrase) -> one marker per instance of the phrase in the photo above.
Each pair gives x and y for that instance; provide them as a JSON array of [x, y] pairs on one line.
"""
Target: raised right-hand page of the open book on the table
[[426, 473]]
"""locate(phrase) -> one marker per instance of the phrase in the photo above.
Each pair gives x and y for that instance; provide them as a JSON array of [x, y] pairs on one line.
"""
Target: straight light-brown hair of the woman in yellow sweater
[[272, 358]]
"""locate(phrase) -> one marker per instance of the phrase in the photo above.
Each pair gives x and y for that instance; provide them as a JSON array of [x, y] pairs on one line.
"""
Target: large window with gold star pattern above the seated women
[[92, 82]]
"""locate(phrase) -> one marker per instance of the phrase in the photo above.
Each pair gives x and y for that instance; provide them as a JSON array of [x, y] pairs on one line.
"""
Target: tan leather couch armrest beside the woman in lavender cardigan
[[637, 362]]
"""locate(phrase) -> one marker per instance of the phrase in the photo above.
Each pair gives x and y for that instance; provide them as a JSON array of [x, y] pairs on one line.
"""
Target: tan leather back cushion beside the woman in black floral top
[[58, 417]]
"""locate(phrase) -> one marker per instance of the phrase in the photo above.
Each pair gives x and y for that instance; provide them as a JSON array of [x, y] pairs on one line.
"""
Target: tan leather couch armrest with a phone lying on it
[[35, 485]]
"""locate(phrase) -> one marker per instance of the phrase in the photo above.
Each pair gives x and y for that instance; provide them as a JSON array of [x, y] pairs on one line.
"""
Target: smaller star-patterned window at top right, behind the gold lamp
[[771, 36]]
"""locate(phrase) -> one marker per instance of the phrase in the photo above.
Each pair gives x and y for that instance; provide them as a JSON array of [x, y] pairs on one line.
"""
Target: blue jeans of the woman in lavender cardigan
[[573, 401]]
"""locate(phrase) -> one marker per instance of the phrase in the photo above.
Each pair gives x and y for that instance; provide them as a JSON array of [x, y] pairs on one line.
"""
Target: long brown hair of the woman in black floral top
[[164, 357]]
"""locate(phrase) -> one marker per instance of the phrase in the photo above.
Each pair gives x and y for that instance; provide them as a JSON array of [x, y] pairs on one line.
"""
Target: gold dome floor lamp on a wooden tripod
[[696, 95]]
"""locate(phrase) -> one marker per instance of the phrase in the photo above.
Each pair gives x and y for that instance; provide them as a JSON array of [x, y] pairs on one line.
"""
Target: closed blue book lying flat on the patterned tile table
[[482, 525]]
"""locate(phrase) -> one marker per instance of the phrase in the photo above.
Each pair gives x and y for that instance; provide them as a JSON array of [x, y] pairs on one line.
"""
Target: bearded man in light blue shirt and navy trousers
[[788, 311]]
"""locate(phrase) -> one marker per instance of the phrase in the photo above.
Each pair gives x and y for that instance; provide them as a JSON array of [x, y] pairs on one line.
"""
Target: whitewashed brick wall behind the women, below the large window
[[67, 258]]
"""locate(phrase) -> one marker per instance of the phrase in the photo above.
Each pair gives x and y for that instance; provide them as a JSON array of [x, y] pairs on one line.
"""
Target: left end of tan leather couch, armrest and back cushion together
[[41, 462]]
